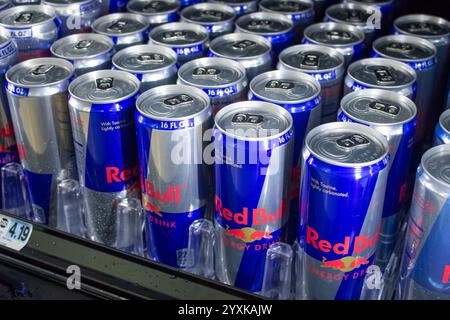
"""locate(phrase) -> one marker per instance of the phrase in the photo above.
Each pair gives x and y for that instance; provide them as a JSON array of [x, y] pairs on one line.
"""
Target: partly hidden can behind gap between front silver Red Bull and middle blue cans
[[223, 80]]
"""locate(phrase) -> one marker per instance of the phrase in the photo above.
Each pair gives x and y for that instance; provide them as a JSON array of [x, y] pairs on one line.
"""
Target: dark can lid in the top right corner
[[423, 25]]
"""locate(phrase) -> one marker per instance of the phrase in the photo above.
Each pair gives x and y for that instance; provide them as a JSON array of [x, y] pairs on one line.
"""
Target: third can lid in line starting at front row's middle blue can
[[311, 58]]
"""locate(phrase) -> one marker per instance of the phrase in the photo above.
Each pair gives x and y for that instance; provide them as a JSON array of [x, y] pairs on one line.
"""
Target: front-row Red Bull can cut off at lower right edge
[[425, 271]]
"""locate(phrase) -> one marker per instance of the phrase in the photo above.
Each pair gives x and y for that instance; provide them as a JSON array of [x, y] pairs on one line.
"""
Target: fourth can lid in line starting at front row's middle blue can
[[335, 34]]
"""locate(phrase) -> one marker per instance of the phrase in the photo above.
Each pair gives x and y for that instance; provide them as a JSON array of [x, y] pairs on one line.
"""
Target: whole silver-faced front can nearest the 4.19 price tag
[[37, 95]]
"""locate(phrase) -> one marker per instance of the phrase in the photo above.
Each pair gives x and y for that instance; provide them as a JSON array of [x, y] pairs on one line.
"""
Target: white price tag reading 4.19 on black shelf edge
[[14, 234]]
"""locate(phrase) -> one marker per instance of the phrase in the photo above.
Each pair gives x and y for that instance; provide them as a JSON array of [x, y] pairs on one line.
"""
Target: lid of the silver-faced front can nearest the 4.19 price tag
[[40, 72]]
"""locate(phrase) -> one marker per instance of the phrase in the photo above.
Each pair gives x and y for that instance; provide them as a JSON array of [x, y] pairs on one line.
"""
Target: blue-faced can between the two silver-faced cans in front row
[[102, 115]]
